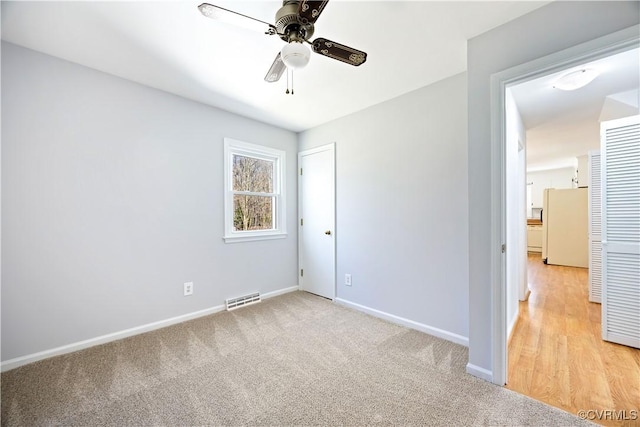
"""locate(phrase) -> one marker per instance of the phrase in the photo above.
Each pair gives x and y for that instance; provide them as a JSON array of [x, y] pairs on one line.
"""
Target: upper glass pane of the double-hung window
[[251, 174]]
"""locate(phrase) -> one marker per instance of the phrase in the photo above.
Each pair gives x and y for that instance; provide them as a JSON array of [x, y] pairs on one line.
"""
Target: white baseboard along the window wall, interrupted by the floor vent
[[69, 348]]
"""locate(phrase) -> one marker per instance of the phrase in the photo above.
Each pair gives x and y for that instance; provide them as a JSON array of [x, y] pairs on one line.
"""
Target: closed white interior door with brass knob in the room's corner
[[316, 197]]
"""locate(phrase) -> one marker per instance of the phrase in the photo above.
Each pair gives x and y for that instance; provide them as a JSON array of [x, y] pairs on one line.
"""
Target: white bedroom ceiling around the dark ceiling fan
[[172, 47]]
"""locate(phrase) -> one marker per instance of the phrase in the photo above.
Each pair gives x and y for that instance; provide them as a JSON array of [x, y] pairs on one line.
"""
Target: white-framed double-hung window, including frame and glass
[[254, 204]]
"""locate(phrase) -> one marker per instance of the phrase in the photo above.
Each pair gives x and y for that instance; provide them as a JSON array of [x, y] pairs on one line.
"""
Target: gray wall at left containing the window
[[112, 198]]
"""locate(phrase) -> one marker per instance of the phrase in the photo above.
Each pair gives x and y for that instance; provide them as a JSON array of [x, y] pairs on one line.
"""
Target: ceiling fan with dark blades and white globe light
[[294, 23]]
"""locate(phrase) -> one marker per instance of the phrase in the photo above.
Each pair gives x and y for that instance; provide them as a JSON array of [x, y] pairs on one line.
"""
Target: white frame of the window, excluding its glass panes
[[278, 157]]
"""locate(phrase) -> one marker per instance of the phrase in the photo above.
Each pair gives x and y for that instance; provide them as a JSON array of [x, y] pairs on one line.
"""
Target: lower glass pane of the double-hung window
[[252, 213]]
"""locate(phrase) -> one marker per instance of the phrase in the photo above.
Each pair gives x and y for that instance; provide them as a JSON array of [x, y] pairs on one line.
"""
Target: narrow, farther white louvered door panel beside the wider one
[[595, 247]]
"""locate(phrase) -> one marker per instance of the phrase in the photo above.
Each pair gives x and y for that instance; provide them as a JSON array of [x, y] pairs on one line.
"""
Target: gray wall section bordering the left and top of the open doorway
[[542, 32]]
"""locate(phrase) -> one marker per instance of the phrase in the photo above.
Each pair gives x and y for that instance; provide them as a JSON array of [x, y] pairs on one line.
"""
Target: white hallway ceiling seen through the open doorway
[[562, 125]]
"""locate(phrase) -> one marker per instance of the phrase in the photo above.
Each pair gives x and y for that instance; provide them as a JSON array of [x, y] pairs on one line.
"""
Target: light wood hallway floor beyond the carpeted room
[[557, 355]]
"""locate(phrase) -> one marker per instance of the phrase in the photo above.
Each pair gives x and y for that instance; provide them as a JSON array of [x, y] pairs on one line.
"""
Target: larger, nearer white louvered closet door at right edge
[[621, 231]]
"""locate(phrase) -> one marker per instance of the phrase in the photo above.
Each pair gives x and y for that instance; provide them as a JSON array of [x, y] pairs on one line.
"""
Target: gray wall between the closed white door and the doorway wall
[[402, 209]]
